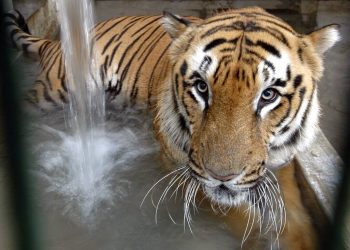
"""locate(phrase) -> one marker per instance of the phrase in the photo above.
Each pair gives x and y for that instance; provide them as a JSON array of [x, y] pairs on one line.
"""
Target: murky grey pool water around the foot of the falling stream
[[117, 221]]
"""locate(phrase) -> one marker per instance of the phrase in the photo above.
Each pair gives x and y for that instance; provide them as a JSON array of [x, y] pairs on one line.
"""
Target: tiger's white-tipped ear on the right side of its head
[[325, 37]]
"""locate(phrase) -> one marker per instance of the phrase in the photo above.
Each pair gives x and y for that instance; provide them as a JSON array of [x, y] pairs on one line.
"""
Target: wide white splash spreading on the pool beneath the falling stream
[[125, 136]]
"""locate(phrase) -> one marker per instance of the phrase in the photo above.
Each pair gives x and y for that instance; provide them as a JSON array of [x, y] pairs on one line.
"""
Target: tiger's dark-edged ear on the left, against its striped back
[[174, 25]]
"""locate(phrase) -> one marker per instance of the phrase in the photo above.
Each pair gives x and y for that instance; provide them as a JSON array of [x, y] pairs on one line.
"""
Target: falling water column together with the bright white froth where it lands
[[86, 149]]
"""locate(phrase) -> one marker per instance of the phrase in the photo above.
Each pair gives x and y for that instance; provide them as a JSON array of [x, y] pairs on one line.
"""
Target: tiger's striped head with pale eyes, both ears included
[[241, 96]]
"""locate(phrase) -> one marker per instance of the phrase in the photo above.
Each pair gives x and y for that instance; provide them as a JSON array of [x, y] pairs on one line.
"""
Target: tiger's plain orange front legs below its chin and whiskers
[[298, 233]]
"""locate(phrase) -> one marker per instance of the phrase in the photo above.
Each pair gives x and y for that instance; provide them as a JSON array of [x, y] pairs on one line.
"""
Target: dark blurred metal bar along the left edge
[[16, 157]]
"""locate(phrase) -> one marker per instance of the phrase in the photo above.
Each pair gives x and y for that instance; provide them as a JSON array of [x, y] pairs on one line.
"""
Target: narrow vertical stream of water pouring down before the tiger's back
[[86, 113]]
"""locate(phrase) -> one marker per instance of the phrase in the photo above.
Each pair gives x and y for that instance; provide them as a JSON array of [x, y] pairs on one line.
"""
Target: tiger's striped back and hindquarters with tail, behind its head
[[130, 53]]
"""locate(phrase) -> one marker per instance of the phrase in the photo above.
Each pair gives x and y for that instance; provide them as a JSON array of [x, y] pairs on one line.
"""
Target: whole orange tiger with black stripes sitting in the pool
[[233, 99]]
